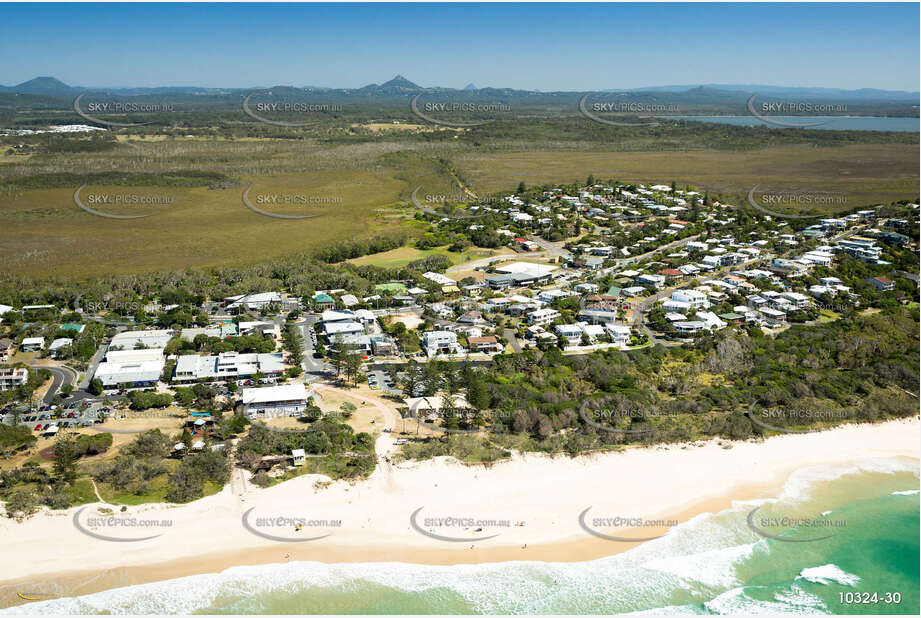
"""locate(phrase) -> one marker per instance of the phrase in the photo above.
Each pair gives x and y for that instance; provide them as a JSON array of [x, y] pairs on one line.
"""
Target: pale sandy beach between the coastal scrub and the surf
[[530, 508]]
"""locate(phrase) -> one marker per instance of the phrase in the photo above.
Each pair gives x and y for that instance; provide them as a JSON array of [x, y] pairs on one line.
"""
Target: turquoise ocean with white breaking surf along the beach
[[847, 530]]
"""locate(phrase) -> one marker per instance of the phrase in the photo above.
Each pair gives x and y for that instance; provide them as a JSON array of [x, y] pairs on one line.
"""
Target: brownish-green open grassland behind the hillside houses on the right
[[866, 174]]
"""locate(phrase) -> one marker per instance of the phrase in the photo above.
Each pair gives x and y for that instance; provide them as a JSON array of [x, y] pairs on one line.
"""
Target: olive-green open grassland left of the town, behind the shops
[[45, 232]]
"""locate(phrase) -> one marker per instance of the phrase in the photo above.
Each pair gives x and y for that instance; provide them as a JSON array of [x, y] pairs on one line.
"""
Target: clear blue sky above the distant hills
[[522, 45]]
